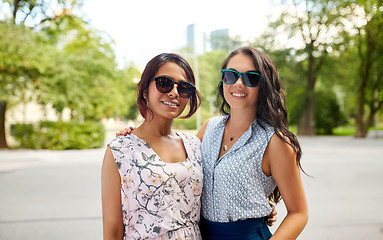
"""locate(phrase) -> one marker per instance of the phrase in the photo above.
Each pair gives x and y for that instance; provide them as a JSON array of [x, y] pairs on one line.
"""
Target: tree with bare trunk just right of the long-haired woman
[[314, 28]]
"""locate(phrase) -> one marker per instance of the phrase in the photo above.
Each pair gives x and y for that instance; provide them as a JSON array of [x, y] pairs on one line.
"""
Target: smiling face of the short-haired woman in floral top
[[167, 105]]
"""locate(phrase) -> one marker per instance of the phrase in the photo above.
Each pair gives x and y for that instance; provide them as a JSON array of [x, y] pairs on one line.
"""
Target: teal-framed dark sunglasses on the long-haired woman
[[250, 79]]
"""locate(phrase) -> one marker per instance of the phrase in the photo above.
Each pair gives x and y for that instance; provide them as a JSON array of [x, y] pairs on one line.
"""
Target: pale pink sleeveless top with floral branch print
[[160, 200]]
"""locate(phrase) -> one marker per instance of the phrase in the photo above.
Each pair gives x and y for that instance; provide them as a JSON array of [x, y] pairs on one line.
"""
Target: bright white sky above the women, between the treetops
[[142, 29]]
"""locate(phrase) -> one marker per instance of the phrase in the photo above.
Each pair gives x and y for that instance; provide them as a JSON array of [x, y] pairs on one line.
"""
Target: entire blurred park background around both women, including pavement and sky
[[68, 75]]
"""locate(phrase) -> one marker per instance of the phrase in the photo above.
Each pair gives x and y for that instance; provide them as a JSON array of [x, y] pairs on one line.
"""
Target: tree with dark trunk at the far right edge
[[369, 43]]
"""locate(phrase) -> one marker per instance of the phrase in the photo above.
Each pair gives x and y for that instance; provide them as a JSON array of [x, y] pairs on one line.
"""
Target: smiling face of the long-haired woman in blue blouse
[[239, 96]]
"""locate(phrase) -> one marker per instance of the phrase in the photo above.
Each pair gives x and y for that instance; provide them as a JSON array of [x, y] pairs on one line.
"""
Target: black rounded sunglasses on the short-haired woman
[[165, 84]]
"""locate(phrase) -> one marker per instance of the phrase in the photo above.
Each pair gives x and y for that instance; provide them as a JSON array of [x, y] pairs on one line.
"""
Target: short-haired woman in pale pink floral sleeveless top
[[152, 179]]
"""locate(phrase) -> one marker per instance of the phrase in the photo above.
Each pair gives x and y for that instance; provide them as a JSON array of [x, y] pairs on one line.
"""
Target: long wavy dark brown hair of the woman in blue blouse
[[271, 104]]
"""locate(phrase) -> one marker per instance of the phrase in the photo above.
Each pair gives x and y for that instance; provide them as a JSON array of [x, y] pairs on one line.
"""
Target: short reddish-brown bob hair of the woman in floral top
[[150, 71]]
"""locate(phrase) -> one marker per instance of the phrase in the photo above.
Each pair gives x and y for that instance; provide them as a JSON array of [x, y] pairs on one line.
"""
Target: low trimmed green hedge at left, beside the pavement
[[60, 135]]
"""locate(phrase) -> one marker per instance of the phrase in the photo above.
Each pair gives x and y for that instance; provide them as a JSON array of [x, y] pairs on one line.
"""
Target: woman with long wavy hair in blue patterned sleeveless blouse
[[249, 156]]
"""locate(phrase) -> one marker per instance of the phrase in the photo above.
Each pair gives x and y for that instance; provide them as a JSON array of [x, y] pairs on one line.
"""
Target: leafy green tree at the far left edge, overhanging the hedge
[[20, 49]]
